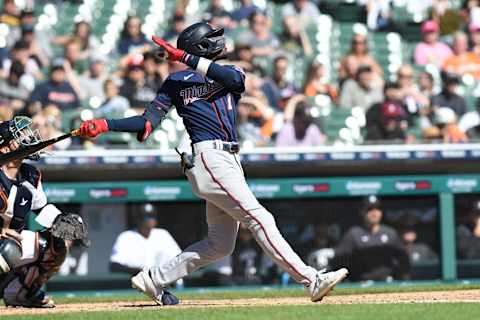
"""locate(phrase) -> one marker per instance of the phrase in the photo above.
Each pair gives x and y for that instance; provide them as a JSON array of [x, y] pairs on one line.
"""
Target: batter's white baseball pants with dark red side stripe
[[218, 178]]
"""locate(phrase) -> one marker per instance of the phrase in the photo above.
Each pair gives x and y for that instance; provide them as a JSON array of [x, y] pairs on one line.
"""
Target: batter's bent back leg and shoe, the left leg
[[220, 241]]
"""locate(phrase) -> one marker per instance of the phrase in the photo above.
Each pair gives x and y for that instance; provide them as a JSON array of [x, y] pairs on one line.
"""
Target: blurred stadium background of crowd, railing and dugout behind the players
[[359, 130]]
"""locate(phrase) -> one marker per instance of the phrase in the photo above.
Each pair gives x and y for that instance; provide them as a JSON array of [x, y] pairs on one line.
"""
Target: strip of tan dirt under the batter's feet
[[377, 298]]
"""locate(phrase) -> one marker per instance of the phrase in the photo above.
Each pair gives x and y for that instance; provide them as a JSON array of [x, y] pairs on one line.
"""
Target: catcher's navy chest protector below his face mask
[[18, 198]]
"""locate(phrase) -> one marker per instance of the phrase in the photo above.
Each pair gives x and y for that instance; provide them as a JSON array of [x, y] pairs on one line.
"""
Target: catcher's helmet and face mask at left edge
[[20, 130]]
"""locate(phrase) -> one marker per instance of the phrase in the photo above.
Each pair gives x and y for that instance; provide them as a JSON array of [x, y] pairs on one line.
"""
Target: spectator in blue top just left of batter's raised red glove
[[132, 38]]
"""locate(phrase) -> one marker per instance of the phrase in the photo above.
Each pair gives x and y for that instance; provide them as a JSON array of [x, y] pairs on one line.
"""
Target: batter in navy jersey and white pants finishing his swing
[[206, 97]]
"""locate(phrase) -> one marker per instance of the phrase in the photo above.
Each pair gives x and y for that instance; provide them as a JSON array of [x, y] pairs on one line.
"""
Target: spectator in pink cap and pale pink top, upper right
[[430, 50]]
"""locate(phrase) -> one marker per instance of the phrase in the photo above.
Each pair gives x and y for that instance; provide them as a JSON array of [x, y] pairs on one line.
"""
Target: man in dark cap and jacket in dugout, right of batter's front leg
[[375, 251]]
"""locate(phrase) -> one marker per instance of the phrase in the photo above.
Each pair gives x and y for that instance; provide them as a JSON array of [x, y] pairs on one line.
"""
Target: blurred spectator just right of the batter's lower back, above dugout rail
[[255, 121]]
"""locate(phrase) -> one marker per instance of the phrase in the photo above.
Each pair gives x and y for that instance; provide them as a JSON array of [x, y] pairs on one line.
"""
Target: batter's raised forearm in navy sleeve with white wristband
[[230, 78]]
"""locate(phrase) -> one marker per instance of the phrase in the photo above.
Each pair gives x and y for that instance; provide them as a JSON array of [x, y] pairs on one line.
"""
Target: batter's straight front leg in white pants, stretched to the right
[[227, 188]]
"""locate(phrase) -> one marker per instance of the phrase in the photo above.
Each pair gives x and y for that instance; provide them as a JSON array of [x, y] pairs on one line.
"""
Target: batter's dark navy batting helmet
[[202, 39]]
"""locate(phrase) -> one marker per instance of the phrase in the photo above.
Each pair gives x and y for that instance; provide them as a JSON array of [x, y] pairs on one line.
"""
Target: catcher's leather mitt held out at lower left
[[70, 226]]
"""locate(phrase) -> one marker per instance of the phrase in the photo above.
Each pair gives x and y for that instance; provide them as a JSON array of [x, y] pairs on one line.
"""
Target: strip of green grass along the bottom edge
[[458, 311]]
